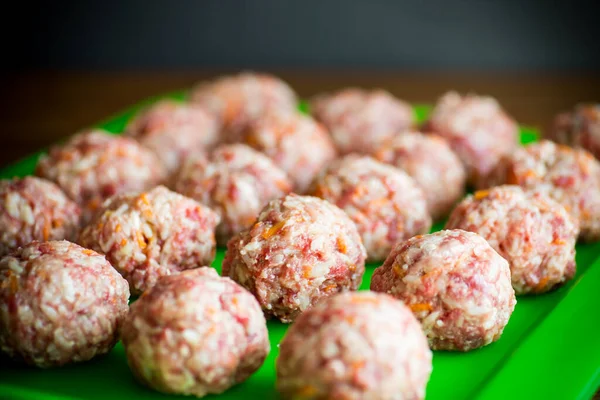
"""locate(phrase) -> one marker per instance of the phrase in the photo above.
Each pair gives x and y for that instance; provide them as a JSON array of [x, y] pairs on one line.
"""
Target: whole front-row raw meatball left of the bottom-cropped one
[[195, 333]]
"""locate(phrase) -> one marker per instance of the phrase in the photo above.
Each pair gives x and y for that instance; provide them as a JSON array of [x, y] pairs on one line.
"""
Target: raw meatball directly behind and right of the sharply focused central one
[[384, 202]]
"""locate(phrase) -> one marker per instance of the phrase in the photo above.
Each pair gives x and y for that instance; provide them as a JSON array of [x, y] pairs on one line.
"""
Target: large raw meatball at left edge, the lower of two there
[[59, 304]]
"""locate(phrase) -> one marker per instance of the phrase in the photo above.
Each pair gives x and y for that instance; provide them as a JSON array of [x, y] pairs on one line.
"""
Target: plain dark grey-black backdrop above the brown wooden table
[[483, 35]]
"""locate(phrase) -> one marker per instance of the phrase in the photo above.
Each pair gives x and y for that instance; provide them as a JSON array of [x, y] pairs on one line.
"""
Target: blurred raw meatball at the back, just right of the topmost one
[[362, 120]]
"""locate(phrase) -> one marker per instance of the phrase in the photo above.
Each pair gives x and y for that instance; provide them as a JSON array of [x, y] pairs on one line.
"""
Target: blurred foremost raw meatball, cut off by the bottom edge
[[361, 345]]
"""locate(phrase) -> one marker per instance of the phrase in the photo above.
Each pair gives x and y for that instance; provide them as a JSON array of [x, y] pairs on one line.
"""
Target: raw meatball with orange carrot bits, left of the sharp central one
[[152, 234]]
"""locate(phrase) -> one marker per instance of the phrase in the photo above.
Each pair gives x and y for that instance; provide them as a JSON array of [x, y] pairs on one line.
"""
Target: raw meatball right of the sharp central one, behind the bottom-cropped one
[[456, 285]]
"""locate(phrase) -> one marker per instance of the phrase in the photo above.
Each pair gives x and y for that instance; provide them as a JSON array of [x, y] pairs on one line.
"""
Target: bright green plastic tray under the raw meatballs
[[549, 350]]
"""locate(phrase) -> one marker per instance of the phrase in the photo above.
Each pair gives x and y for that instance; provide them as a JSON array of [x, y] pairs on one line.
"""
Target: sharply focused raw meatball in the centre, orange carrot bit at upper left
[[299, 251]]
